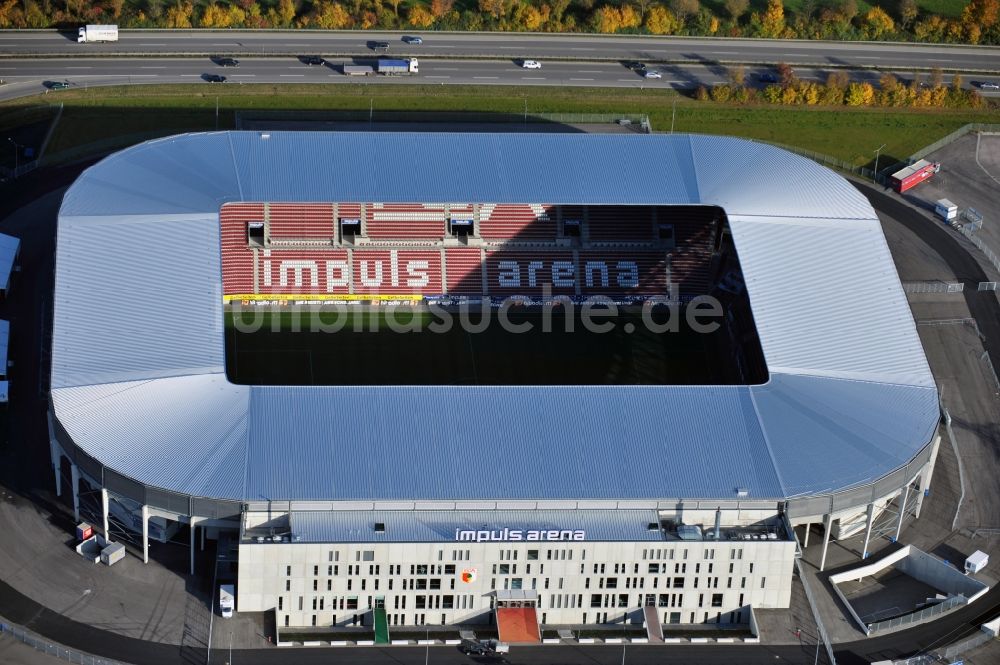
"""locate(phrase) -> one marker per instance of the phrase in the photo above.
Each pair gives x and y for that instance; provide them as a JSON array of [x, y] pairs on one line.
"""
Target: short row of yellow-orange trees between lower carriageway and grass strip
[[840, 91]]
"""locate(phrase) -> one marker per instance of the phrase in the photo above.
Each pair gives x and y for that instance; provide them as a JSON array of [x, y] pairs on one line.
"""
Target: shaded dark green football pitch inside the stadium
[[418, 346]]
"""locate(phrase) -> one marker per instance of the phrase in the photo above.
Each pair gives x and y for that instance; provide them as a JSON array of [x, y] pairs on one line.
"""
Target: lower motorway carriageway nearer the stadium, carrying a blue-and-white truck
[[30, 76]]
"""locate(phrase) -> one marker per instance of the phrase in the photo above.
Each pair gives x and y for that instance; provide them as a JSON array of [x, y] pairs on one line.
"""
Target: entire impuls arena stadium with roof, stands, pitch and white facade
[[647, 475]]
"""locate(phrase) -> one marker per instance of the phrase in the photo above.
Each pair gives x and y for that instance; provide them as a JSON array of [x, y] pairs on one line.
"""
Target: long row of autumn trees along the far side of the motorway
[[816, 19]]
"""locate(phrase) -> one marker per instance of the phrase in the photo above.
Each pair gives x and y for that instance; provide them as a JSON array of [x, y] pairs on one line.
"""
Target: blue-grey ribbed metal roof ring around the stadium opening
[[138, 377]]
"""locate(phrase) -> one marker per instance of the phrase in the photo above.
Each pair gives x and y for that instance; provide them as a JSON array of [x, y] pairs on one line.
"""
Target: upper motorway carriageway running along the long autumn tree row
[[506, 45]]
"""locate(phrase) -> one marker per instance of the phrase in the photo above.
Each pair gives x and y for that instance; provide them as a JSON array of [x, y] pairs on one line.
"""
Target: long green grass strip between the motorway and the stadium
[[103, 119]]
